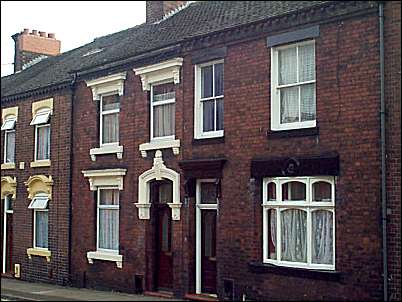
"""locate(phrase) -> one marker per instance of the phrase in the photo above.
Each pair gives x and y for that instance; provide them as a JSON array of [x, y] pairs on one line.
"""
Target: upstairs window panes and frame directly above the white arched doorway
[[163, 99]]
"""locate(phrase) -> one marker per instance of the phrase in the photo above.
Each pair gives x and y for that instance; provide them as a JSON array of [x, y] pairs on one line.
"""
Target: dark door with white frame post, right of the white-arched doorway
[[208, 251]]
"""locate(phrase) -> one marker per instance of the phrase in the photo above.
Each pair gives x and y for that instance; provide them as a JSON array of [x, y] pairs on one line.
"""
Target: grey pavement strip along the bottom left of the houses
[[17, 290]]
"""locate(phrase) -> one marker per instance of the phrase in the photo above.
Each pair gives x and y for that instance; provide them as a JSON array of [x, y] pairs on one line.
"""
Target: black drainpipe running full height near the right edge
[[383, 155]]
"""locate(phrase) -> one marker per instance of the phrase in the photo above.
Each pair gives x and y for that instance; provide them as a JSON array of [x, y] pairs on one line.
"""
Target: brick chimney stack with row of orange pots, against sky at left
[[32, 45]]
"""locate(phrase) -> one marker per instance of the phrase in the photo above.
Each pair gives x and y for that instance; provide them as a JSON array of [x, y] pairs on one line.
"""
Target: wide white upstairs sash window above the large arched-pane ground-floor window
[[293, 86]]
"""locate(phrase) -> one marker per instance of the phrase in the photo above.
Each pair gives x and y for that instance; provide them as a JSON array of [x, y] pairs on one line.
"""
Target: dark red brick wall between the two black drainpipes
[[348, 116]]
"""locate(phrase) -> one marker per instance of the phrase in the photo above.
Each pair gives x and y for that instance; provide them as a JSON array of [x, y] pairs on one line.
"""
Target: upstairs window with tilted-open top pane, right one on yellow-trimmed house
[[42, 134]]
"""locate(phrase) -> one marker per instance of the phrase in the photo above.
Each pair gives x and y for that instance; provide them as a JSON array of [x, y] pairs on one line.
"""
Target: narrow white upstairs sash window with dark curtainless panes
[[209, 100]]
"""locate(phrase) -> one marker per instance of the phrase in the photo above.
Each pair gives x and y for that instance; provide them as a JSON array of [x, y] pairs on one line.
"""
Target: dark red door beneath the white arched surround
[[164, 257]]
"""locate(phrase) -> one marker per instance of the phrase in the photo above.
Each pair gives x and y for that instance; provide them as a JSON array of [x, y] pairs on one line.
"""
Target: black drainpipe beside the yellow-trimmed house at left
[[70, 212]]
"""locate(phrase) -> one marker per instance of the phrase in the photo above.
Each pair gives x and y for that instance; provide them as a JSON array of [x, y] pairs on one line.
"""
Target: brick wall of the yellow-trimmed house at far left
[[38, 269]]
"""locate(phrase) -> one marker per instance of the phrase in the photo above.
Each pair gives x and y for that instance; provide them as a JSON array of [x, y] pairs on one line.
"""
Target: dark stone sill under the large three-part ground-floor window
[[265, 268]]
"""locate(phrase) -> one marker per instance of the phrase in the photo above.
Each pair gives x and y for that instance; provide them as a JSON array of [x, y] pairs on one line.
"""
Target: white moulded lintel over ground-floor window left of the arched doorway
[[106, 177]]
